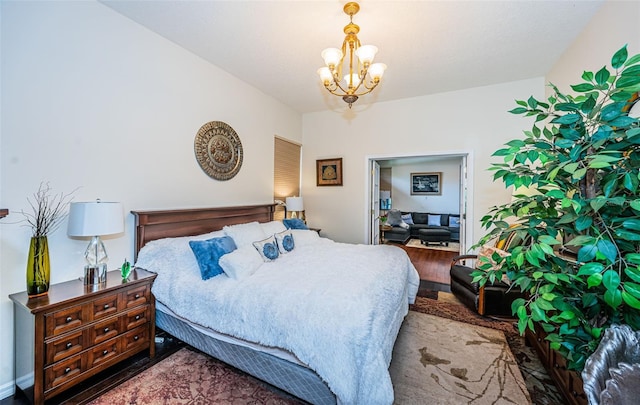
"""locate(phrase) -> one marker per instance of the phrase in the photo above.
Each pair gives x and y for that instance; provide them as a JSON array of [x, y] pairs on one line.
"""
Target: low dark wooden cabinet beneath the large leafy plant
[[568, 381]]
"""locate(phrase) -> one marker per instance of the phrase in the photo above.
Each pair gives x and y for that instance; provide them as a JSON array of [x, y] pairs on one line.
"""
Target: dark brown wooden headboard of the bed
[[151, 225]]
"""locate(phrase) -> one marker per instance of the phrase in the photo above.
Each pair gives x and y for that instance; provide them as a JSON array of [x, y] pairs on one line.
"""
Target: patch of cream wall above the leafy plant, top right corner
[[615, 25]]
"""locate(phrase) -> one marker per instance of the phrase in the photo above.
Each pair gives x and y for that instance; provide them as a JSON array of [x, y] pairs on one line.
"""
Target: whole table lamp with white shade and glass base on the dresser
[[95, 219]]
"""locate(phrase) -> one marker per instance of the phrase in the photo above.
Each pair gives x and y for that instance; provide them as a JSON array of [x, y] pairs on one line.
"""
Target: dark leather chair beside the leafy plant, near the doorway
[[491, 299]]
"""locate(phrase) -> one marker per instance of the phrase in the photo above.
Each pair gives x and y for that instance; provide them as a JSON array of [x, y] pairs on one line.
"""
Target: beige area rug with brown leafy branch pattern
[[440, 361]]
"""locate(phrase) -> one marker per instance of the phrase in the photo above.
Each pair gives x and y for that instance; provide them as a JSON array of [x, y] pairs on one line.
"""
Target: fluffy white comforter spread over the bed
[[337, 307]]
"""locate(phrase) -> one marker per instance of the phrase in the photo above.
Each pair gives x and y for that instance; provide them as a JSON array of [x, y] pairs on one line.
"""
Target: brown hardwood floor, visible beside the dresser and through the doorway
[[432, 265]]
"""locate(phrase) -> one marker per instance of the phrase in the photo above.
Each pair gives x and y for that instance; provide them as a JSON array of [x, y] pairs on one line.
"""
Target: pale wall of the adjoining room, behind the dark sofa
[[448, 202]]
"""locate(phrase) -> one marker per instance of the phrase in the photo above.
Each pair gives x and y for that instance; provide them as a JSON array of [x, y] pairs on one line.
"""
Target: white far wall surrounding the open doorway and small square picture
[[473, 120]]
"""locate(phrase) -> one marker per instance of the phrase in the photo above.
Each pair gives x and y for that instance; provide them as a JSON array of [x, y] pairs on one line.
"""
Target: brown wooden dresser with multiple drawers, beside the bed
[[76, 331]]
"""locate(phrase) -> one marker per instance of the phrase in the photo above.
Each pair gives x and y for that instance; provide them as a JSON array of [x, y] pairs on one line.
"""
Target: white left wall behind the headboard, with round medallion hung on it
[[92, 100]]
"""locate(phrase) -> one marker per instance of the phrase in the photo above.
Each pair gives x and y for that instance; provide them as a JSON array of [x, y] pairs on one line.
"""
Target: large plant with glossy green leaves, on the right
[[580, 166]]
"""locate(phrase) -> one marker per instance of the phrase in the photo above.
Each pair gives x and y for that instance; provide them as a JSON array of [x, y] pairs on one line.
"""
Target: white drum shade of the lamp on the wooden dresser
[[95, 218]]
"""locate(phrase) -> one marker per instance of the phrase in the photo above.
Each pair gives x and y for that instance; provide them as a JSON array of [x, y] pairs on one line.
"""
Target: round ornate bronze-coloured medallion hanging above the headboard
[[218, 150]]
